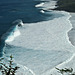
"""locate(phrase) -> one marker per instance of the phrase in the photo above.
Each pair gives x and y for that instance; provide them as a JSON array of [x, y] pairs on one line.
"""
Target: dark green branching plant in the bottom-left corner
[[8, 70]]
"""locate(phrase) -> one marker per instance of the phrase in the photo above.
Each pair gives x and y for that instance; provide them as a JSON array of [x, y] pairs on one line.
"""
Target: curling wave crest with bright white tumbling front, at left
[[13, 32]]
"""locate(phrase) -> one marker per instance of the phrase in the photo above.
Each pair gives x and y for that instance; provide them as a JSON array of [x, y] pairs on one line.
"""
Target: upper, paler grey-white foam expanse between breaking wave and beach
[[51, 32]]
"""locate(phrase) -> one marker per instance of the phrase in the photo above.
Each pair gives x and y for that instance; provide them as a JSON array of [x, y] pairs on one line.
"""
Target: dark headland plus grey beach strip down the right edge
[[68, 6]]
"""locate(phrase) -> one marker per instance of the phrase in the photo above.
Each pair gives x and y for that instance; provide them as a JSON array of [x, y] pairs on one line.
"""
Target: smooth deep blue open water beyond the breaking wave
[[11, 10]]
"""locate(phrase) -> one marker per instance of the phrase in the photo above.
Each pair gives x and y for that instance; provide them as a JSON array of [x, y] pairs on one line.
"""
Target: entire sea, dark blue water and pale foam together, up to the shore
[[38, 38]]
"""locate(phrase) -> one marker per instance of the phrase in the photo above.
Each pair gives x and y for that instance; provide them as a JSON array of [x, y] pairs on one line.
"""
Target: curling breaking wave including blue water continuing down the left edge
[[10, 35]]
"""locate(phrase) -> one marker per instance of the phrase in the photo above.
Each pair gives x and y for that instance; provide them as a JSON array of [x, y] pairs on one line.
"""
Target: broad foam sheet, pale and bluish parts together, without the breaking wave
[[47, 42]]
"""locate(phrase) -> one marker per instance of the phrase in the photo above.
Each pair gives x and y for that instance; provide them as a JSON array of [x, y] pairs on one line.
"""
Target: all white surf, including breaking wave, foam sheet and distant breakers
[[40, 47]]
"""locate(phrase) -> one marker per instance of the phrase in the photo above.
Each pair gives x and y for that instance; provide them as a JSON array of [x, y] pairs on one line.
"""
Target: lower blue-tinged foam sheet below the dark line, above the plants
[[37, 62]]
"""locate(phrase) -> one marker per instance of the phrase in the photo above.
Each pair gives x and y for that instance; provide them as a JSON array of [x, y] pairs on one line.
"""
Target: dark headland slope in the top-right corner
[[67, 5]]
